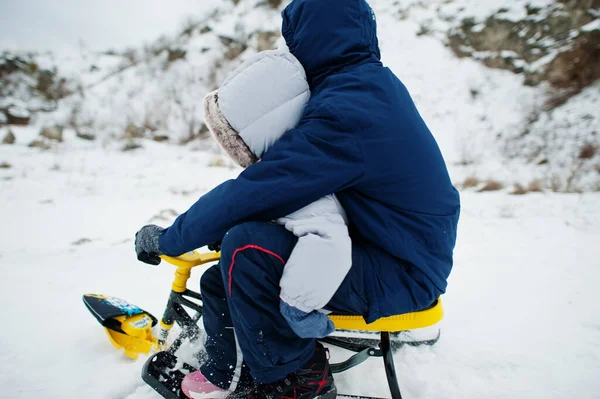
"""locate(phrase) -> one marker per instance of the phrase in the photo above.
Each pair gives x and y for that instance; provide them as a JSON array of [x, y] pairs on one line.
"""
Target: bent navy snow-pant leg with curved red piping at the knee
[[253, 258]]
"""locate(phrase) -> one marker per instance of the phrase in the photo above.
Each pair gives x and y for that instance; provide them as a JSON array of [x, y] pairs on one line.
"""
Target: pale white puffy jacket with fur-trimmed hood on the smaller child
[[254, 107]]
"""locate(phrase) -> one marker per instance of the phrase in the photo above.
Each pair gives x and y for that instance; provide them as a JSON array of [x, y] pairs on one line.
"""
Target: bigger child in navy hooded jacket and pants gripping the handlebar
[[360, 137]]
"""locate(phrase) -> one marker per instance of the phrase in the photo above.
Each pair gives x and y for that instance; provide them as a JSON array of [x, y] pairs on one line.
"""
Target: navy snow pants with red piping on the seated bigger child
[[241, 305]]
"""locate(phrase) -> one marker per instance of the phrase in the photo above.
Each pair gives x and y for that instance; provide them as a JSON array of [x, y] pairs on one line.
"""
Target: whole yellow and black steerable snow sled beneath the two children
[[164, 372]]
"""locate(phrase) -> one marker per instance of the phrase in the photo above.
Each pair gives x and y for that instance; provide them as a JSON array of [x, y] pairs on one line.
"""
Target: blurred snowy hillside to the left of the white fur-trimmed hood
[[156, 90]]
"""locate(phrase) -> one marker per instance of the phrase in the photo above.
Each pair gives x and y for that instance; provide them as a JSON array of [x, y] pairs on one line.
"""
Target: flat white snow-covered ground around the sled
[[521, 308]]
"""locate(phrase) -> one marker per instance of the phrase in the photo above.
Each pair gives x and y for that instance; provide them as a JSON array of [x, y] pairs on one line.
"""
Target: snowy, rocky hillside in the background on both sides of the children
[[492, 124]]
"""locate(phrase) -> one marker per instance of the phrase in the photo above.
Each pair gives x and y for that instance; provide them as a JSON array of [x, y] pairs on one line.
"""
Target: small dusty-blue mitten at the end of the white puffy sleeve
[[307, 325]]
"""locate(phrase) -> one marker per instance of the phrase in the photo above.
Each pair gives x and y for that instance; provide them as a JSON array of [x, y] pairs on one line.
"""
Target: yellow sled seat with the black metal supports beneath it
[[382, 348]]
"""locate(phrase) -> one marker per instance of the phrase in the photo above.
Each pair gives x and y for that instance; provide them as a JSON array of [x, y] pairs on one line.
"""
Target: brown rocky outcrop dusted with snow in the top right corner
[[559, 44]]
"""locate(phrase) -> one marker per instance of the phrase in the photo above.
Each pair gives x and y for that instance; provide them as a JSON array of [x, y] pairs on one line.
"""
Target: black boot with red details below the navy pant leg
[[313, 380]]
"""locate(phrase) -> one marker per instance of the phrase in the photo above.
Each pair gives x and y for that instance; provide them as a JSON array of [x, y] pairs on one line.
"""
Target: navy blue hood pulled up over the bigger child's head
[[329, 35]]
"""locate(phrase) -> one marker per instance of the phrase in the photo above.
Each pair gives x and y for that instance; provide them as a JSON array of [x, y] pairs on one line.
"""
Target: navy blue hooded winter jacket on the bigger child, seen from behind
[[362, 138]]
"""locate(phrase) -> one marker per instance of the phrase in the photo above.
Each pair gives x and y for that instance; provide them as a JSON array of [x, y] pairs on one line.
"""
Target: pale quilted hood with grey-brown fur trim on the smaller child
[[257, 104]]
